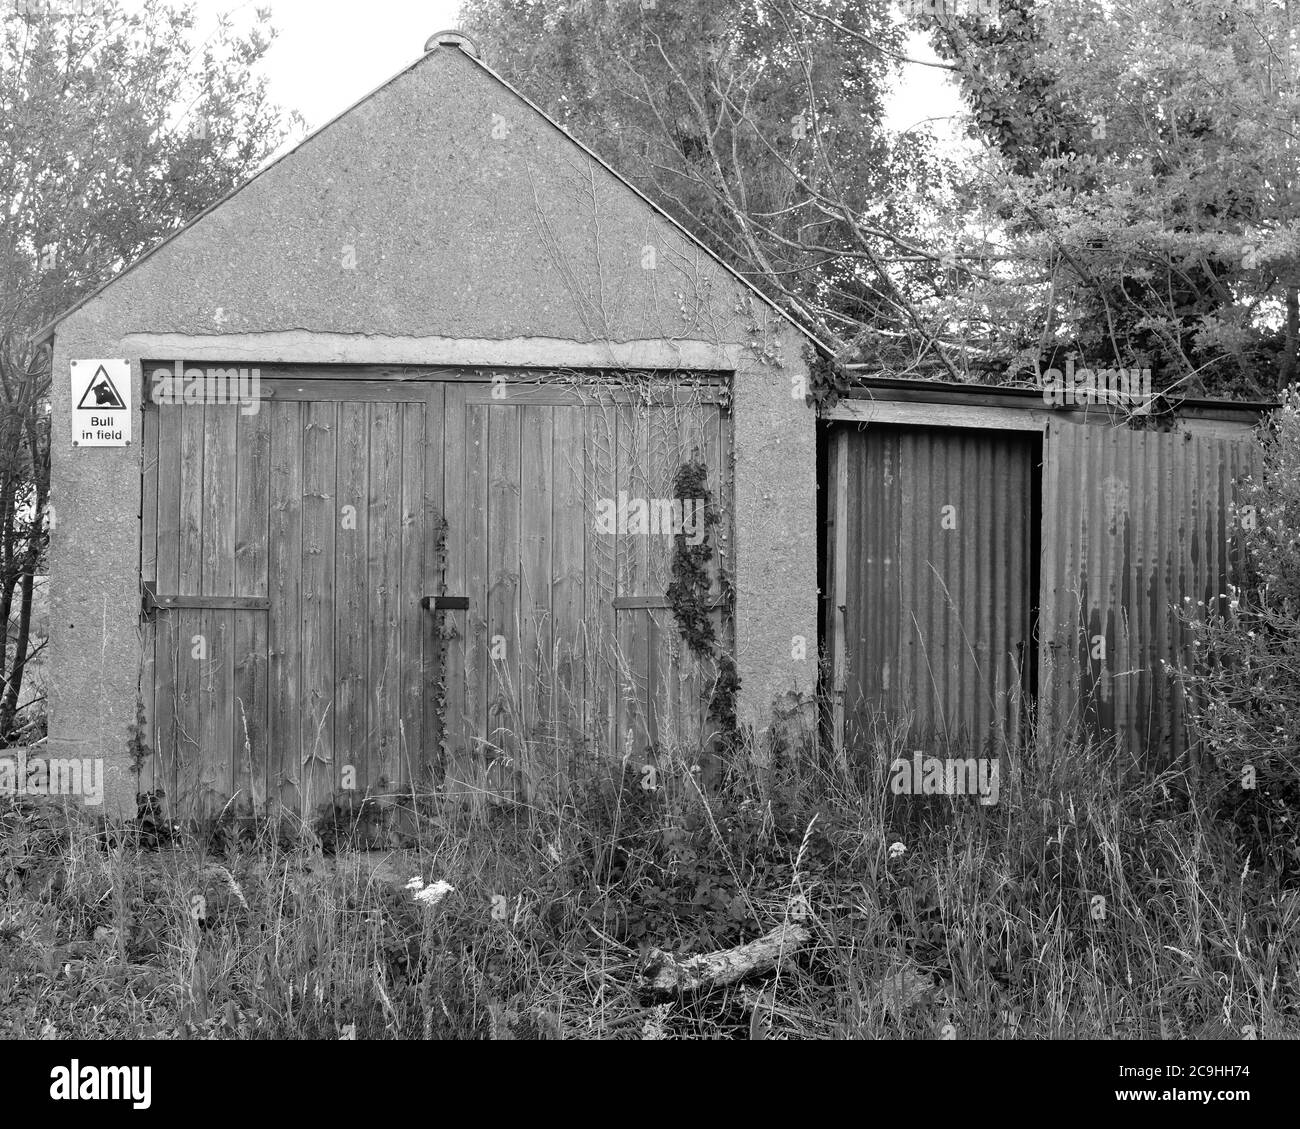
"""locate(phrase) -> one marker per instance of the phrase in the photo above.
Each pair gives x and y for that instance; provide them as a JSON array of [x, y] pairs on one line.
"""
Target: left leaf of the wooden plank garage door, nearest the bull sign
[[289, 550]]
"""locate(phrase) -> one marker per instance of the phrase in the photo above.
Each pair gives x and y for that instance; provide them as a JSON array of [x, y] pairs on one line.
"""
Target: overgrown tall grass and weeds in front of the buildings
[[1077, 907]]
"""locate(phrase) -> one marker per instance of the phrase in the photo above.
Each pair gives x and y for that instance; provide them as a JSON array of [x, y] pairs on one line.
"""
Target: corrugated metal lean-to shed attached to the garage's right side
[[1071, 527]]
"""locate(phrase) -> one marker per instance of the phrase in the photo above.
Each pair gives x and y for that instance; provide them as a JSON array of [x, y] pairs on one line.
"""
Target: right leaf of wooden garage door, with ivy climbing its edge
[[569, 650]]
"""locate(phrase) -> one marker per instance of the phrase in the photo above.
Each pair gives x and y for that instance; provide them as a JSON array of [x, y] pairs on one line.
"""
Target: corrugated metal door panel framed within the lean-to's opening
[[937, 602]]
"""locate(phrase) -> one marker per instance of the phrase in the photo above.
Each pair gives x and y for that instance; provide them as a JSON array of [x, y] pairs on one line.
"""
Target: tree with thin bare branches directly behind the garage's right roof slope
[[759, 127]]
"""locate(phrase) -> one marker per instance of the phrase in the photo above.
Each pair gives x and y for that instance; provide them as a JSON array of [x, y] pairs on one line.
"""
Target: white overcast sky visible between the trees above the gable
[[330, 54]]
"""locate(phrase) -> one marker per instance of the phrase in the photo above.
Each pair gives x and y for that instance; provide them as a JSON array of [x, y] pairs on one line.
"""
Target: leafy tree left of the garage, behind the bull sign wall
[[114, 132]]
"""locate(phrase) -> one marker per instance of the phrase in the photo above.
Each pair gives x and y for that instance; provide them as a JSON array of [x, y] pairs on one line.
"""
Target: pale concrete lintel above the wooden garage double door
[[302, 347]]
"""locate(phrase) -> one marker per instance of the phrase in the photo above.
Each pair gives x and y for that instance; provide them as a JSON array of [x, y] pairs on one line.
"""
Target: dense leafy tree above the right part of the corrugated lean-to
[[1143, 178]]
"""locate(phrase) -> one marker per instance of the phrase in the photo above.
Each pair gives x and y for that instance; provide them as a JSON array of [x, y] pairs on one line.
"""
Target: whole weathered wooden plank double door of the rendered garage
[[396, 582]]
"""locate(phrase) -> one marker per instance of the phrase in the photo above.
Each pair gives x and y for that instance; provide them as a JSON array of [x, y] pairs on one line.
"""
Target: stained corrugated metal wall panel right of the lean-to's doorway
[[1133, 522]]
